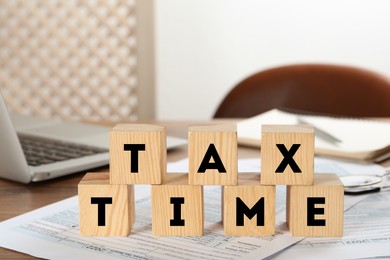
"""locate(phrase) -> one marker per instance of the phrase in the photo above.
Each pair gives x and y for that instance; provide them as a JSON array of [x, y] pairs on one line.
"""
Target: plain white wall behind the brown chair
[[205, 47]]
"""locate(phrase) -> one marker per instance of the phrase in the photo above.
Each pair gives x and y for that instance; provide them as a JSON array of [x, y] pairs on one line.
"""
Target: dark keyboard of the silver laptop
[[40, 151]]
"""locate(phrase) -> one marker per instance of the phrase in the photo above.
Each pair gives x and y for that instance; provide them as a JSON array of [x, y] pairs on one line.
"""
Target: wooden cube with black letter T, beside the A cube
[[137, 154]]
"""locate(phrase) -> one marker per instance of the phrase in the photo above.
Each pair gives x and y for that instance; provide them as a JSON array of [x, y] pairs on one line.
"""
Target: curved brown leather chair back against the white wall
[[310, 88]]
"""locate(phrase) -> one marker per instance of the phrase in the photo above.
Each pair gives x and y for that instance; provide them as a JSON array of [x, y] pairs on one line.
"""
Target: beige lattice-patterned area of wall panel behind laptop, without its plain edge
[[71, 59]]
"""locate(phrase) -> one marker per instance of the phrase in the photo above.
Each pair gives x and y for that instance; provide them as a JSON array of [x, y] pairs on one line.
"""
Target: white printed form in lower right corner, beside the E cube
[[366, 234]]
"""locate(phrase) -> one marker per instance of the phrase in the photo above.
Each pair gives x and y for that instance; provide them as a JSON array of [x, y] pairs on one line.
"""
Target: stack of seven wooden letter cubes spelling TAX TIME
[[138, 156]]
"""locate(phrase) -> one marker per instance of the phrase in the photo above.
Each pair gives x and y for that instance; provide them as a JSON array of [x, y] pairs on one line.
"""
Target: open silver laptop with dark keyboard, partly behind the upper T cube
[[35, 149]]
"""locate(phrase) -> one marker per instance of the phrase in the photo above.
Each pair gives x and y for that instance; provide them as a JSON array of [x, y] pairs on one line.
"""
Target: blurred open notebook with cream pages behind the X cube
[[359, 139]]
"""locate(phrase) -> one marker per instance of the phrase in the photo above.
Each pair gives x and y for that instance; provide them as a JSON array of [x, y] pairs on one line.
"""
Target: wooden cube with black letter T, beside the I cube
[[105, 209]]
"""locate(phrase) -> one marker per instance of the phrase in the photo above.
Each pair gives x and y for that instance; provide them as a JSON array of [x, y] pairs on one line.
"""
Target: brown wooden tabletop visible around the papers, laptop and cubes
[[16, 198]]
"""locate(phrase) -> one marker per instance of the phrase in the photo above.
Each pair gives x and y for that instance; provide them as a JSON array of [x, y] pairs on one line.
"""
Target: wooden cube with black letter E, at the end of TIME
[[316, 210]]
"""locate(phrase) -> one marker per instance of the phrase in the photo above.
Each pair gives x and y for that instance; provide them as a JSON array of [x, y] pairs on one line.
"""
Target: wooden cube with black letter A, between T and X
[[212, 154]]
